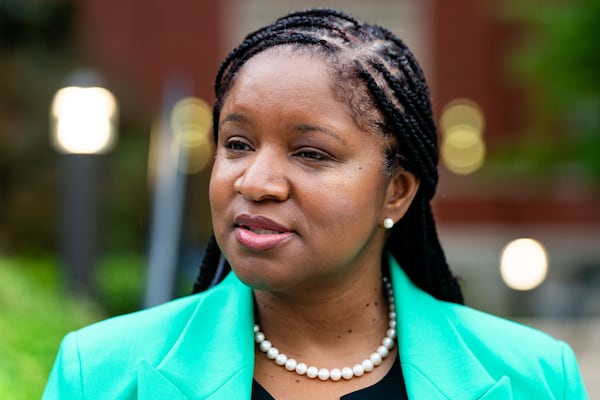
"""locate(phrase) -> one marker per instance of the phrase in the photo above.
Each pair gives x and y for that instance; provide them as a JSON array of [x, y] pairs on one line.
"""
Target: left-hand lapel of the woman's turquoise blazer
[[213, 357]]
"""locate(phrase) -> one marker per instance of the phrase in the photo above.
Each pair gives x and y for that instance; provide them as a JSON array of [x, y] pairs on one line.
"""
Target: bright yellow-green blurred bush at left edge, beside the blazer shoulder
[[35, 313]]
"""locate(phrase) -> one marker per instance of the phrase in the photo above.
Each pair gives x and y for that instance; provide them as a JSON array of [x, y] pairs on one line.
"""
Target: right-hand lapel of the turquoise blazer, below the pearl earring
[[437, 363]]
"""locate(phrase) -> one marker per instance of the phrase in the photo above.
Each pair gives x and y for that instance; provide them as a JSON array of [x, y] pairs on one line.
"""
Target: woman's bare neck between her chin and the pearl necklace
[[330, 328]]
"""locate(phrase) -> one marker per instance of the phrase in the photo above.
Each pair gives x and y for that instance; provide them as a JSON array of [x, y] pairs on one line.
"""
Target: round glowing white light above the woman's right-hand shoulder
[[524, 264]]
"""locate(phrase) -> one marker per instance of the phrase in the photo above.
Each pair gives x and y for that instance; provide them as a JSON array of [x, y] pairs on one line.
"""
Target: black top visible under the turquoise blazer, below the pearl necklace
[[391, 386]]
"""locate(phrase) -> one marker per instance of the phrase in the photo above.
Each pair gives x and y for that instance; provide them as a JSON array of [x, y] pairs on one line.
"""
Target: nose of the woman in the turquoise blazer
[[263, 179]]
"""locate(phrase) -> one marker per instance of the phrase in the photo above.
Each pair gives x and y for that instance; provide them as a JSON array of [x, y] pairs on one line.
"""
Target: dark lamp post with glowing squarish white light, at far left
[[83, 126]]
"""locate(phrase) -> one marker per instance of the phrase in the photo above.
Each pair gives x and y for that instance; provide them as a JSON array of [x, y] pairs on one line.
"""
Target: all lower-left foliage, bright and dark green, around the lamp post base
[[36, 311]]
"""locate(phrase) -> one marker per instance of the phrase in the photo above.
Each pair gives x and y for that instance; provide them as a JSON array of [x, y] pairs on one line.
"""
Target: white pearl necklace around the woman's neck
[[335, 374]]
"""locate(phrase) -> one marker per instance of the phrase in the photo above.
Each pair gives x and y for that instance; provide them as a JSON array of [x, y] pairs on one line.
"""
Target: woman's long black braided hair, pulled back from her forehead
[[379, 78]]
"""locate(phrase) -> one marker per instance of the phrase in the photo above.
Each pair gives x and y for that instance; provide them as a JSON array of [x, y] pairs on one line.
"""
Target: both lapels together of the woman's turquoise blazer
[[436, 362]]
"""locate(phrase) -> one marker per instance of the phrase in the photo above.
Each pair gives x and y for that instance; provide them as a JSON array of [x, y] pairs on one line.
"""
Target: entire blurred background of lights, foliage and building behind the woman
[[105, 156]]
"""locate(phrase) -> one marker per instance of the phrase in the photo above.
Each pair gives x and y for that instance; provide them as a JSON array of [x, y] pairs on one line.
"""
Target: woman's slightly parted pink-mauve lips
[[260, 233]]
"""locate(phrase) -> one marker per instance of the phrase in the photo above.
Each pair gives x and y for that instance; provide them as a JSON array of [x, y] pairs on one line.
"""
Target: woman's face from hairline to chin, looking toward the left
[[297, 192]]
